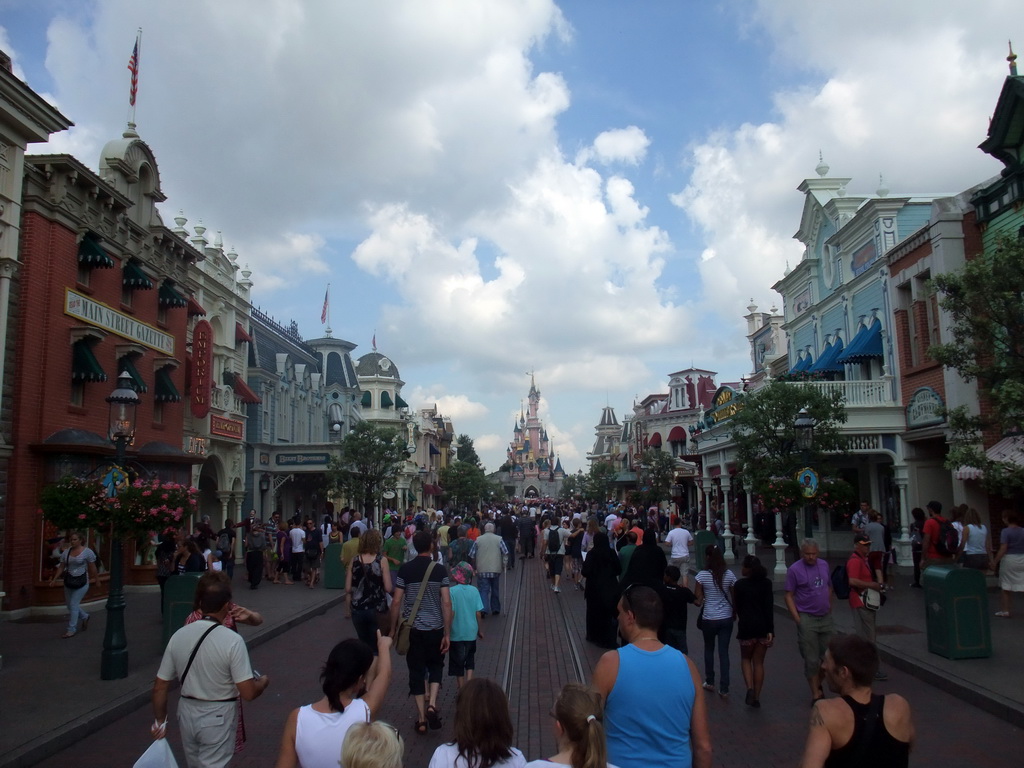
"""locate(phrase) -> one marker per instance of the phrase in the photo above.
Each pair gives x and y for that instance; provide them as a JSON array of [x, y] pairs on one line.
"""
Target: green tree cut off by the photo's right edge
[[986, 301]]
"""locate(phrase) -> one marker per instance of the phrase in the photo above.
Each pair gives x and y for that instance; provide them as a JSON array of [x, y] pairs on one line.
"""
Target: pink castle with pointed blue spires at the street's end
[[532, 471]]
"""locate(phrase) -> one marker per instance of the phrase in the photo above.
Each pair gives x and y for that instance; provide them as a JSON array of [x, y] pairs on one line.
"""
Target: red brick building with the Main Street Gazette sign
[[100, 291]]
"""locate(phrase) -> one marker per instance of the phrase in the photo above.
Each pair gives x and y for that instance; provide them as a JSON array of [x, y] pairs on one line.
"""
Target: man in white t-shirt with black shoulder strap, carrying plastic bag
[[219, 675]]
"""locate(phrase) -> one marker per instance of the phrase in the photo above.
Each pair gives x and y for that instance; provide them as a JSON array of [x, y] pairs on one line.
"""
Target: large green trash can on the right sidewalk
[[957, 613]]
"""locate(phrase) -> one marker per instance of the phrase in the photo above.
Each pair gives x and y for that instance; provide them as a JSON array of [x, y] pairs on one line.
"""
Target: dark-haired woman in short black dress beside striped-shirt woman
[[755, 608]]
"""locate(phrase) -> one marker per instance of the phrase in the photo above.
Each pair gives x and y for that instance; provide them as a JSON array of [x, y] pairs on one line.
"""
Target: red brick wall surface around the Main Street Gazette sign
[[42, 371]]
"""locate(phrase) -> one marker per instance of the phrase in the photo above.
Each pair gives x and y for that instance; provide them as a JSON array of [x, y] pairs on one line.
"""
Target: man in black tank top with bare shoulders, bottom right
[[862, 729]]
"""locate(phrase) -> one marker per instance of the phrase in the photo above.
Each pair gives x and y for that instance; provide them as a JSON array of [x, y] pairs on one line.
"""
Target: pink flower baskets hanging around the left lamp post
[[136, 509]]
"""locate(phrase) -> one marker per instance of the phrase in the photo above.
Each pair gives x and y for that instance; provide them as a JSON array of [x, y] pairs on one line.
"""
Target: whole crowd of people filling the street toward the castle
[[428, 583]]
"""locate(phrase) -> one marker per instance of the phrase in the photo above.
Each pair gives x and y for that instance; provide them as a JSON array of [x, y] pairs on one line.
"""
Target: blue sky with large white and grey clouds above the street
[[592, 190]]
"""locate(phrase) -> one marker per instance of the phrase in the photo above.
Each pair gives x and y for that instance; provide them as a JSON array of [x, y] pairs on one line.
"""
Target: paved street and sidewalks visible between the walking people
[[56, 710]]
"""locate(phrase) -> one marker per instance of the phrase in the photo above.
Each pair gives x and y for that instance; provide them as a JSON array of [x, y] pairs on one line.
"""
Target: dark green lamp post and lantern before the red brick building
[[114, 661]]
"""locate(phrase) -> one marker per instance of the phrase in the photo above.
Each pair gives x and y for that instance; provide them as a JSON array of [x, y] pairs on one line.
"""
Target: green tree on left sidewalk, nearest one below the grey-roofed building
[[368, 463]]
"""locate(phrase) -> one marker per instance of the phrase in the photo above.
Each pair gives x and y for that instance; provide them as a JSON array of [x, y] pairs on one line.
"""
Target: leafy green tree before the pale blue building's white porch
[[766, 441]]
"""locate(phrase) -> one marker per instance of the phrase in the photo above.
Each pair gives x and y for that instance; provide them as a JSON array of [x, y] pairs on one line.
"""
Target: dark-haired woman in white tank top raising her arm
[[314, 734]]
